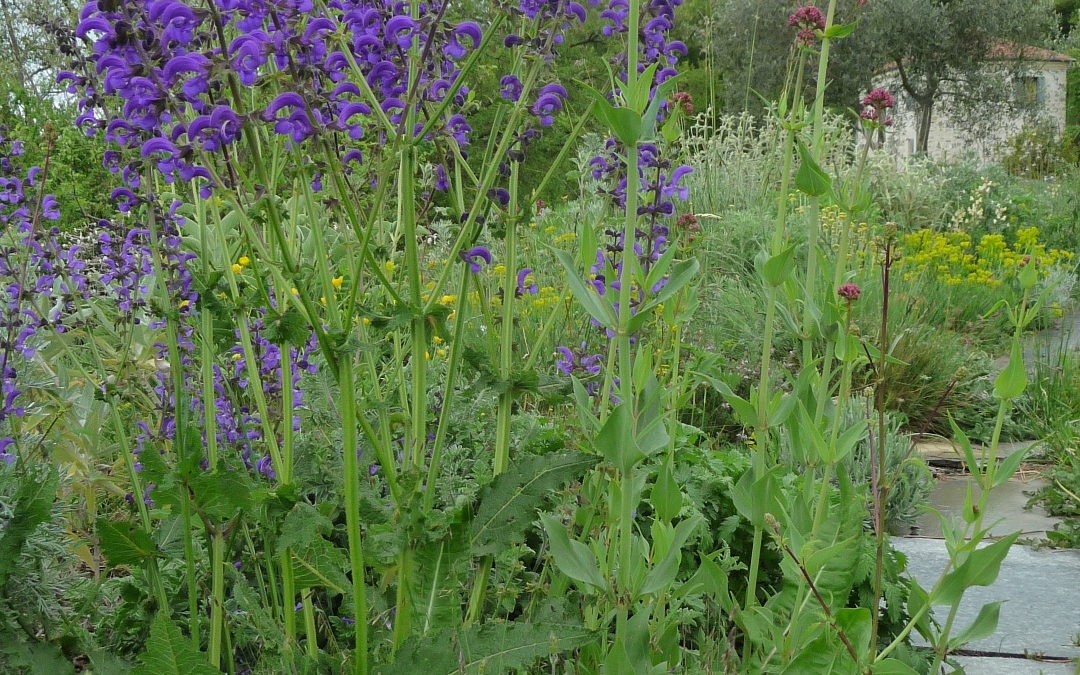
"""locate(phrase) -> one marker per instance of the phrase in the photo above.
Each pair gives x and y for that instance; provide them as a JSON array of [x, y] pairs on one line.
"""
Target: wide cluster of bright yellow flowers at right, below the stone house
[[955, 260]]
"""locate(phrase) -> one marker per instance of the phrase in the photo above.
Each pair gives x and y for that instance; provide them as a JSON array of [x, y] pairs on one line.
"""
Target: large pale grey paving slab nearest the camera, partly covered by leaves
[[1042, 595]]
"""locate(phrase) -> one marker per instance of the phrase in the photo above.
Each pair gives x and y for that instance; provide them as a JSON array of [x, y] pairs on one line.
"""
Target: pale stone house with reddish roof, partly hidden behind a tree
[[1041, 78]]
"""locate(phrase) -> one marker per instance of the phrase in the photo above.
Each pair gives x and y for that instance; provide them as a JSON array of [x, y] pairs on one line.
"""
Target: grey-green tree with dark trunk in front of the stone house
[[941, 51]]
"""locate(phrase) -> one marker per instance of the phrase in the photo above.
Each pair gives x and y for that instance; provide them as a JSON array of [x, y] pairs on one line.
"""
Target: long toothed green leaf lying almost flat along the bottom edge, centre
[[490, 649]]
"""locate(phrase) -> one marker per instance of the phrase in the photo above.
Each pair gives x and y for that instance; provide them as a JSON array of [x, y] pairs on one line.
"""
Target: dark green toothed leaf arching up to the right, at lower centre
[[509, 504]]
